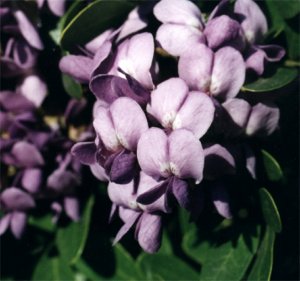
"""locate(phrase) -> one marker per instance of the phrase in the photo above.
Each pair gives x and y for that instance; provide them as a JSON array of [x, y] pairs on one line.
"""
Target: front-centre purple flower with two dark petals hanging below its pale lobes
[[177, 157]]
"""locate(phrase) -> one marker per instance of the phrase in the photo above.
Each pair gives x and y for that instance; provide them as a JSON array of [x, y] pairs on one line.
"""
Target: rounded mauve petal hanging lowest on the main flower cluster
[[150, 232]]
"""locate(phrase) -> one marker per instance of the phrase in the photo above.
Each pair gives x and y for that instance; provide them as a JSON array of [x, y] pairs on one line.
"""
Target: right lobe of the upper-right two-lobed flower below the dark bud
[[228, 73]]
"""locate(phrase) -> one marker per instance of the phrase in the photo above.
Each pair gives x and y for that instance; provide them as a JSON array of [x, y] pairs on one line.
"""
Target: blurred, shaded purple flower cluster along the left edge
[[36, 162]]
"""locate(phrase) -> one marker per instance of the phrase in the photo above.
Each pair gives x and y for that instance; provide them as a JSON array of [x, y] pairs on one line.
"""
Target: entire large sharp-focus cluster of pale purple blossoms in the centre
[[156, 131]]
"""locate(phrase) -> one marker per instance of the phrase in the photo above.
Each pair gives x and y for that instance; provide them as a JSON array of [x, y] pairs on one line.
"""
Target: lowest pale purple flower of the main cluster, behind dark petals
[[147, 218]]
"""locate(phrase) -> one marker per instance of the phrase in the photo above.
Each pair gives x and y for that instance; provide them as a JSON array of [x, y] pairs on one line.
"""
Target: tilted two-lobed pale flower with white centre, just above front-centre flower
[[174, 107]]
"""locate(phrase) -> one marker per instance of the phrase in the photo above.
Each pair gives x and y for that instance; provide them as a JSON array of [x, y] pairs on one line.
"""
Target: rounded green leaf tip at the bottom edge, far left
[[52, 268]]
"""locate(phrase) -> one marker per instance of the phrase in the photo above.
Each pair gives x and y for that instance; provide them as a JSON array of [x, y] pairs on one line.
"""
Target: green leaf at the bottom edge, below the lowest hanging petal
[[166, 267]]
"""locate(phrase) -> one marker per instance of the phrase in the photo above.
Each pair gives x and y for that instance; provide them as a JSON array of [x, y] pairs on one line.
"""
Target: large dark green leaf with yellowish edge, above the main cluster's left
[[93, 20]]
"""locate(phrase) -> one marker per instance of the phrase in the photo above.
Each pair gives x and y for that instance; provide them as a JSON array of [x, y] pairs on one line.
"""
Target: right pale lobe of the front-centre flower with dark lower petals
[[186, 155]]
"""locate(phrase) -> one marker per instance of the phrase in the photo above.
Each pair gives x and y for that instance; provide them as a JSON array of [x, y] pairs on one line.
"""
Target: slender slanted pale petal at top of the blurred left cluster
[[28, 30]]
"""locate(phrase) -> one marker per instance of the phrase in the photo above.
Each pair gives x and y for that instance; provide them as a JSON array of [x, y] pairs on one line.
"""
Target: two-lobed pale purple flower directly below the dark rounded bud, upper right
[[220, 74]]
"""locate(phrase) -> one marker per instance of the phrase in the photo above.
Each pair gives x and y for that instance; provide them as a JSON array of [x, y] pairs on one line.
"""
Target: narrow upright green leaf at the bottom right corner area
[[262, 268]]
